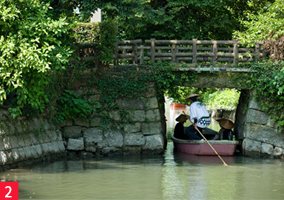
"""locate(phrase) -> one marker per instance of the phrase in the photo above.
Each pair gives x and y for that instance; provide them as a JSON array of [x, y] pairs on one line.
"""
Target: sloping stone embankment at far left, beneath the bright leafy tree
[[24, 140]]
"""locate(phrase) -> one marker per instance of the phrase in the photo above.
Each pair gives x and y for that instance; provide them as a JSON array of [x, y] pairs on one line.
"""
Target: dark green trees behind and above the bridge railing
[[172, 19]]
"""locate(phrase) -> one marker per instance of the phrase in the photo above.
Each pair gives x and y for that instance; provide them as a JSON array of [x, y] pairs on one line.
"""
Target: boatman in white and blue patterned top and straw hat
[[199, 115]]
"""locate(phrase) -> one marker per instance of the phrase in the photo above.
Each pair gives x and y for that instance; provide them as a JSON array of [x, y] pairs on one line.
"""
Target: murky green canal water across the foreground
[[170, 176]]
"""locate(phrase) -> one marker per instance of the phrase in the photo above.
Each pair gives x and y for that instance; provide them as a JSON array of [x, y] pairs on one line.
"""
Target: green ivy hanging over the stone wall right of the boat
[[267, 82]]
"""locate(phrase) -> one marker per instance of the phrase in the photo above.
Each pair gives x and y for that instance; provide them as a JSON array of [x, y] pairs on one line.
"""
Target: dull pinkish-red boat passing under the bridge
[[201, 147]]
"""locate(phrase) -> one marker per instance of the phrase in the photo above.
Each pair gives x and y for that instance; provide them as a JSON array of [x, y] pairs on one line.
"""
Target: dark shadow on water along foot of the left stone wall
[[79, 164]]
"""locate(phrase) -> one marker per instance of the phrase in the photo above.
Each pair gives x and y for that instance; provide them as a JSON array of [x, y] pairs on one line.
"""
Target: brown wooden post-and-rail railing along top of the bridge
[[191, 52]]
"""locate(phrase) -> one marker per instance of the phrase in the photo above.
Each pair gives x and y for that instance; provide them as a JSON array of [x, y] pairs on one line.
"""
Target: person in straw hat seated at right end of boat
[[226, 132]]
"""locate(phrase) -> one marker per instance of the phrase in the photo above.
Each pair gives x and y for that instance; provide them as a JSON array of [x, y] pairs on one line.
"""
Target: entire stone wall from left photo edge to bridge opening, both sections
[[25, 140]]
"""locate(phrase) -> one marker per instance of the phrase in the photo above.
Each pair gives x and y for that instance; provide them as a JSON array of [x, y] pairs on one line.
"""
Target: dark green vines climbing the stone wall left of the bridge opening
[[113, 84]]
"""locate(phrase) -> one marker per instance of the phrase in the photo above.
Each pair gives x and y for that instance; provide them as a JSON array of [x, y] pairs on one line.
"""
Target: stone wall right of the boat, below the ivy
[[259, 136]]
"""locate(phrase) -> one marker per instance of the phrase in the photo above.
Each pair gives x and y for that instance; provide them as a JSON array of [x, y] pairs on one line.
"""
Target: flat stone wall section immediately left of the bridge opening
[[145, 135]]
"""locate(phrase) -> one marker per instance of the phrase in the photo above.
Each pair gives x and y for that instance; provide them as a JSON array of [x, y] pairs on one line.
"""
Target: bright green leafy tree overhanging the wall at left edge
[[32, 47]]
